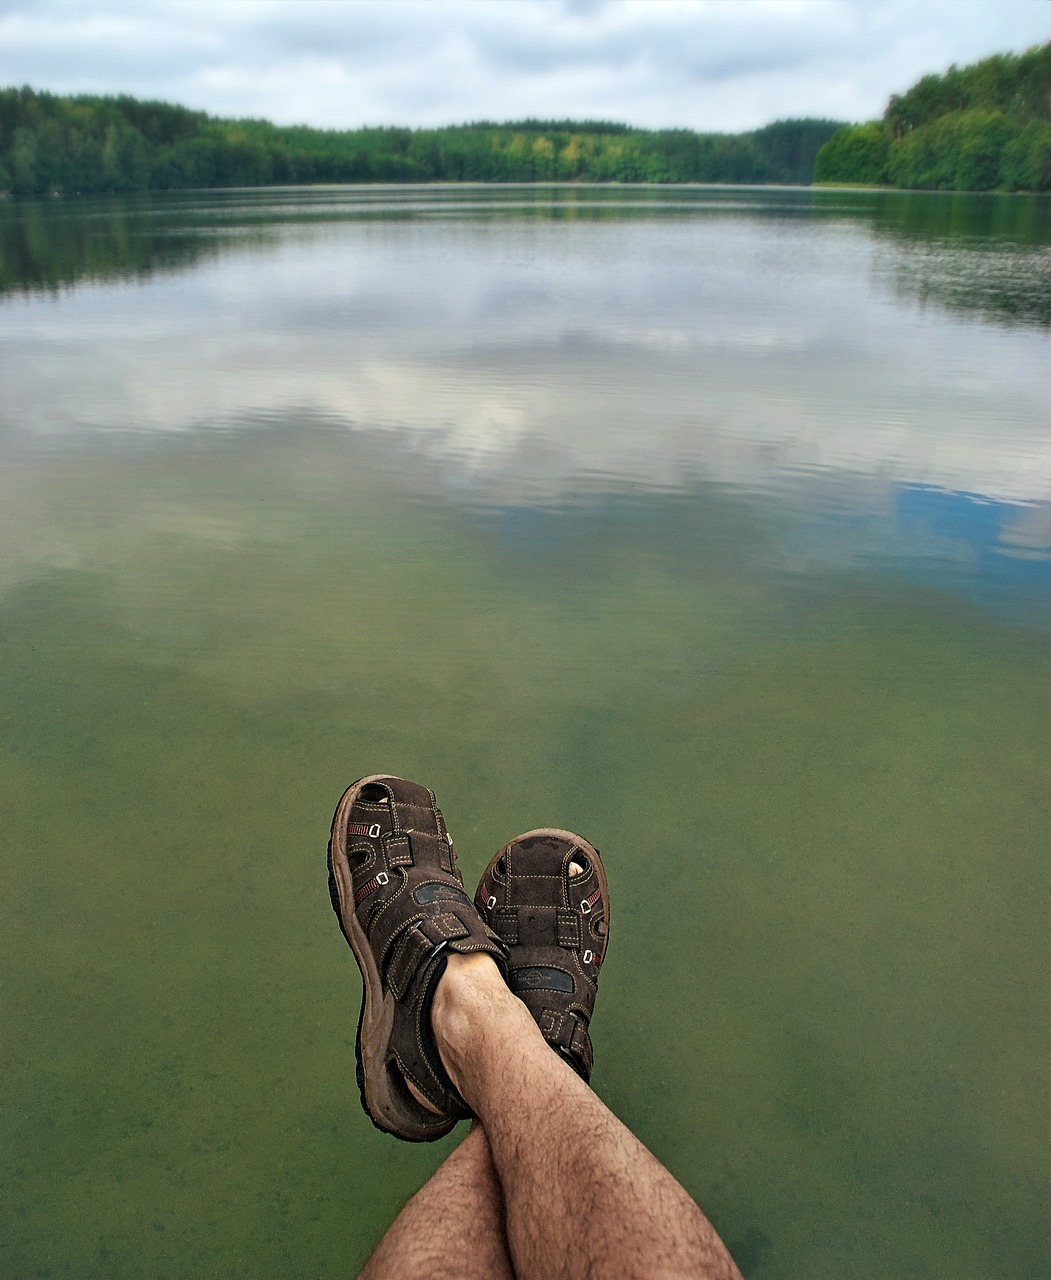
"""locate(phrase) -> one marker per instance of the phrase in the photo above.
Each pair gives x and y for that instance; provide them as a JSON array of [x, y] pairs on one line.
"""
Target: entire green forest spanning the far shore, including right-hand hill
[[985, 127]]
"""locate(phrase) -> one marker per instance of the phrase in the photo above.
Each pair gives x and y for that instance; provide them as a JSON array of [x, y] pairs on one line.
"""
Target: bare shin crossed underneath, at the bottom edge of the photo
[[453, 1229]]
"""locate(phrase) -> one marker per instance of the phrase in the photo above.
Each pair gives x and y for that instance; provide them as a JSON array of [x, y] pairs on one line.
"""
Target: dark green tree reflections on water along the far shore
[[975, 253]]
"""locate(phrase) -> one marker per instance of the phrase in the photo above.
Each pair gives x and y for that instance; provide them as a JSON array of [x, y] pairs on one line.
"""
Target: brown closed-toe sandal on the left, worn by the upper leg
[[401, 906]]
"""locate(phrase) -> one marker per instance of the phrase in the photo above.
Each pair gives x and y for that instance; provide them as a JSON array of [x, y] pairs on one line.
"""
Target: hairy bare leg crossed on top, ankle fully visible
[[583, 1196]]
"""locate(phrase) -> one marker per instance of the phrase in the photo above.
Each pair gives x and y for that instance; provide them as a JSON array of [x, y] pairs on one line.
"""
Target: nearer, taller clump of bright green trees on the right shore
[[986, 127]]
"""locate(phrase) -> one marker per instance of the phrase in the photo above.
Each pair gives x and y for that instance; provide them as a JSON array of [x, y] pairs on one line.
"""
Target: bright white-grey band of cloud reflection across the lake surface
[[533, 363]]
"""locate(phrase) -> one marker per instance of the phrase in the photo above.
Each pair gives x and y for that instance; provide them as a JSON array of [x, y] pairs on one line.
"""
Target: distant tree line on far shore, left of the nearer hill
[[53, 144]]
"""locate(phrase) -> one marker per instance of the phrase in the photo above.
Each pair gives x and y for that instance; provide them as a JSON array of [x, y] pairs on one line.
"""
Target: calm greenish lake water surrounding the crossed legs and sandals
[[715, 524]]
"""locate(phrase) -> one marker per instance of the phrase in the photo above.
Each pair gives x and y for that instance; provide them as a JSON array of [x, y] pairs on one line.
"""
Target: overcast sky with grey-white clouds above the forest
[[705, 65]]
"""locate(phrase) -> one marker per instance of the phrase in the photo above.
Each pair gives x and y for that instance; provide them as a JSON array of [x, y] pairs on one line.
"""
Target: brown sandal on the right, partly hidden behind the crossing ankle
[[556, 929]]
